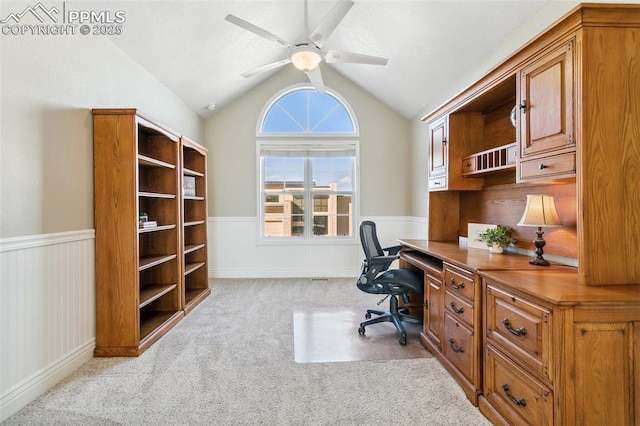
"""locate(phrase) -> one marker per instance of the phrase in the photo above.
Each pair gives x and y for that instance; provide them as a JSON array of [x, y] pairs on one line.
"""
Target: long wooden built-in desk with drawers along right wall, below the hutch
[[528, 344]]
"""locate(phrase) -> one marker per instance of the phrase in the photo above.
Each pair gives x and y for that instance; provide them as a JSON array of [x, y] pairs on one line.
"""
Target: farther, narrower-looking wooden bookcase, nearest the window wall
[[194, 215]]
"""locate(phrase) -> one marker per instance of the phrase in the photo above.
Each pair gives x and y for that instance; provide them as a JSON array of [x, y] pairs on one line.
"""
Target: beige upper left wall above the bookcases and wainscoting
[[49, 85]]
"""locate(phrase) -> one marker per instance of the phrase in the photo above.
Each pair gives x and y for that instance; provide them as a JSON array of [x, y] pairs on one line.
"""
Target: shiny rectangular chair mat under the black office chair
[[331, 335]]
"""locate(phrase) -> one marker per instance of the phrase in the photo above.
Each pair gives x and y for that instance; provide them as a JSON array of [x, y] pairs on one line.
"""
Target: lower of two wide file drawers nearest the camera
[[519, 397]]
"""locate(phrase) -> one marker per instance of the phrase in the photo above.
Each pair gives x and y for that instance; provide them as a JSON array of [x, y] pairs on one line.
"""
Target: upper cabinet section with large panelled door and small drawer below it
[[545, 115]]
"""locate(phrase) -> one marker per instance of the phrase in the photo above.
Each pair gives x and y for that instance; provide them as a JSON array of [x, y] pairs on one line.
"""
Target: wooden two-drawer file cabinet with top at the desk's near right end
[[559, 353]]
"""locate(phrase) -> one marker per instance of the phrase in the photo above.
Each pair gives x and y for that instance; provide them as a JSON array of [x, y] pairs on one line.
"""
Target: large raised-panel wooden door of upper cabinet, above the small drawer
[[547, 104]]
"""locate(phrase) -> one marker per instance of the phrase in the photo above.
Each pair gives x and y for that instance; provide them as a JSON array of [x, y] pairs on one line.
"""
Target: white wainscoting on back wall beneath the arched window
[[235, 250]]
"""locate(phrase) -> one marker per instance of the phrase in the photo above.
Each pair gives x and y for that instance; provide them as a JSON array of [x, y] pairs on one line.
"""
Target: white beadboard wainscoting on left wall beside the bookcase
[[47, 312]]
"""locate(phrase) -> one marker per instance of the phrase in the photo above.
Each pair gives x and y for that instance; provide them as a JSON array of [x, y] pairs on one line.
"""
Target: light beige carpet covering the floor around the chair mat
[[231, 362]]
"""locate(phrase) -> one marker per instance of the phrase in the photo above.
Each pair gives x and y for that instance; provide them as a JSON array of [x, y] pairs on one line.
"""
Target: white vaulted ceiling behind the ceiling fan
[[431, 45]]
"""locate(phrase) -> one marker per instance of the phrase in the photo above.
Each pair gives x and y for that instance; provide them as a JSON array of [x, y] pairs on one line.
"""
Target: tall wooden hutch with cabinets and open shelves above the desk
[[580, 127]]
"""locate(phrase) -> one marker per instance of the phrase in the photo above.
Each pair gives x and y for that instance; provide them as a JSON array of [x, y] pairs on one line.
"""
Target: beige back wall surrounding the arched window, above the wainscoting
[[385, 139]]
